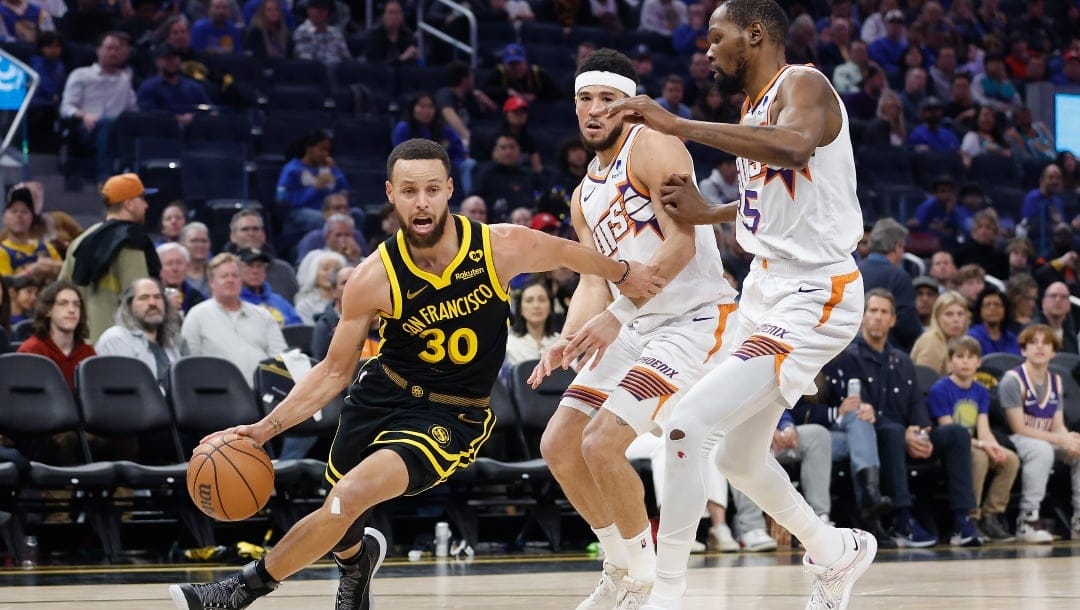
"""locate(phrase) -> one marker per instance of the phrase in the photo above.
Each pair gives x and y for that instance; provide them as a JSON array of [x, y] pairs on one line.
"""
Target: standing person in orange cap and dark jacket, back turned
[[111, 255]]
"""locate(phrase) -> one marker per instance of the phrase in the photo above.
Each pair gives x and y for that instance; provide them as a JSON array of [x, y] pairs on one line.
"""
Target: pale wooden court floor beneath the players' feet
[[1006, 577]]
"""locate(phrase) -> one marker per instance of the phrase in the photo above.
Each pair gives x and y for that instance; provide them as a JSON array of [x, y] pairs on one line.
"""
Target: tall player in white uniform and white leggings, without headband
[[802, 303]]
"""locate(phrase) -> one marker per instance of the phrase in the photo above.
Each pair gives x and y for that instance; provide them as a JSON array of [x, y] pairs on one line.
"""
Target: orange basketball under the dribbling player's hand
[[231, 478]]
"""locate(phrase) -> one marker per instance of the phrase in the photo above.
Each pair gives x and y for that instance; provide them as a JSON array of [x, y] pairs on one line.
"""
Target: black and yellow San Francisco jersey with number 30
[[447, 334]]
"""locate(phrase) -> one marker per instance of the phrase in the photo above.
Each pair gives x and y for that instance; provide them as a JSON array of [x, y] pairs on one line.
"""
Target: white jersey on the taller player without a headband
[[811, 215]]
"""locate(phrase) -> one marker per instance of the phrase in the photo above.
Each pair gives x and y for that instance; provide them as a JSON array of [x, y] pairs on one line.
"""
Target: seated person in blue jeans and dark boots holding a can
[[850, 422]]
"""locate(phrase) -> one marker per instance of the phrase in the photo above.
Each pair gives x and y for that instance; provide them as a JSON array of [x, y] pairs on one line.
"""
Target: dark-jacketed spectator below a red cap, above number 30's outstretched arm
[[504, 181]]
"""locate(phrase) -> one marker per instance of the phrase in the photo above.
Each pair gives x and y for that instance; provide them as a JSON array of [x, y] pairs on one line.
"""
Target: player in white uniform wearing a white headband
[[642, 355]]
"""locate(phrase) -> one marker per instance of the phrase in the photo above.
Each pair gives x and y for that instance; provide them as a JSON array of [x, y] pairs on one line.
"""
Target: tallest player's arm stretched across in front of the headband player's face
[[799, 129]]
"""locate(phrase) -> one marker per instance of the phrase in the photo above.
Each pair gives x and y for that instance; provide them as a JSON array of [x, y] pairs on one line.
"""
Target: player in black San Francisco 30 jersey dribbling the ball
[[418, 412]]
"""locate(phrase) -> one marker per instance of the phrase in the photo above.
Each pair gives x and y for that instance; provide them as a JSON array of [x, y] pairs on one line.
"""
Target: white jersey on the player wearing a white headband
[[620, 215]]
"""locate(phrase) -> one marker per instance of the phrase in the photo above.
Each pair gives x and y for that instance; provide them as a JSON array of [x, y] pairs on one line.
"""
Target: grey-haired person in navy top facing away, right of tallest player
[[882, 269]]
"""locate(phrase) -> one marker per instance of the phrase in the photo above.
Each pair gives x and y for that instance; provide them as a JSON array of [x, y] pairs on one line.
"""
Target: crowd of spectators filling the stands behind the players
[[942, 85]]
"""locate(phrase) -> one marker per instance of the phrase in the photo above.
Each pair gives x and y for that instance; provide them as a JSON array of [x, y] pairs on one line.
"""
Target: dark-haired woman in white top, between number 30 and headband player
[[533, 329]]
